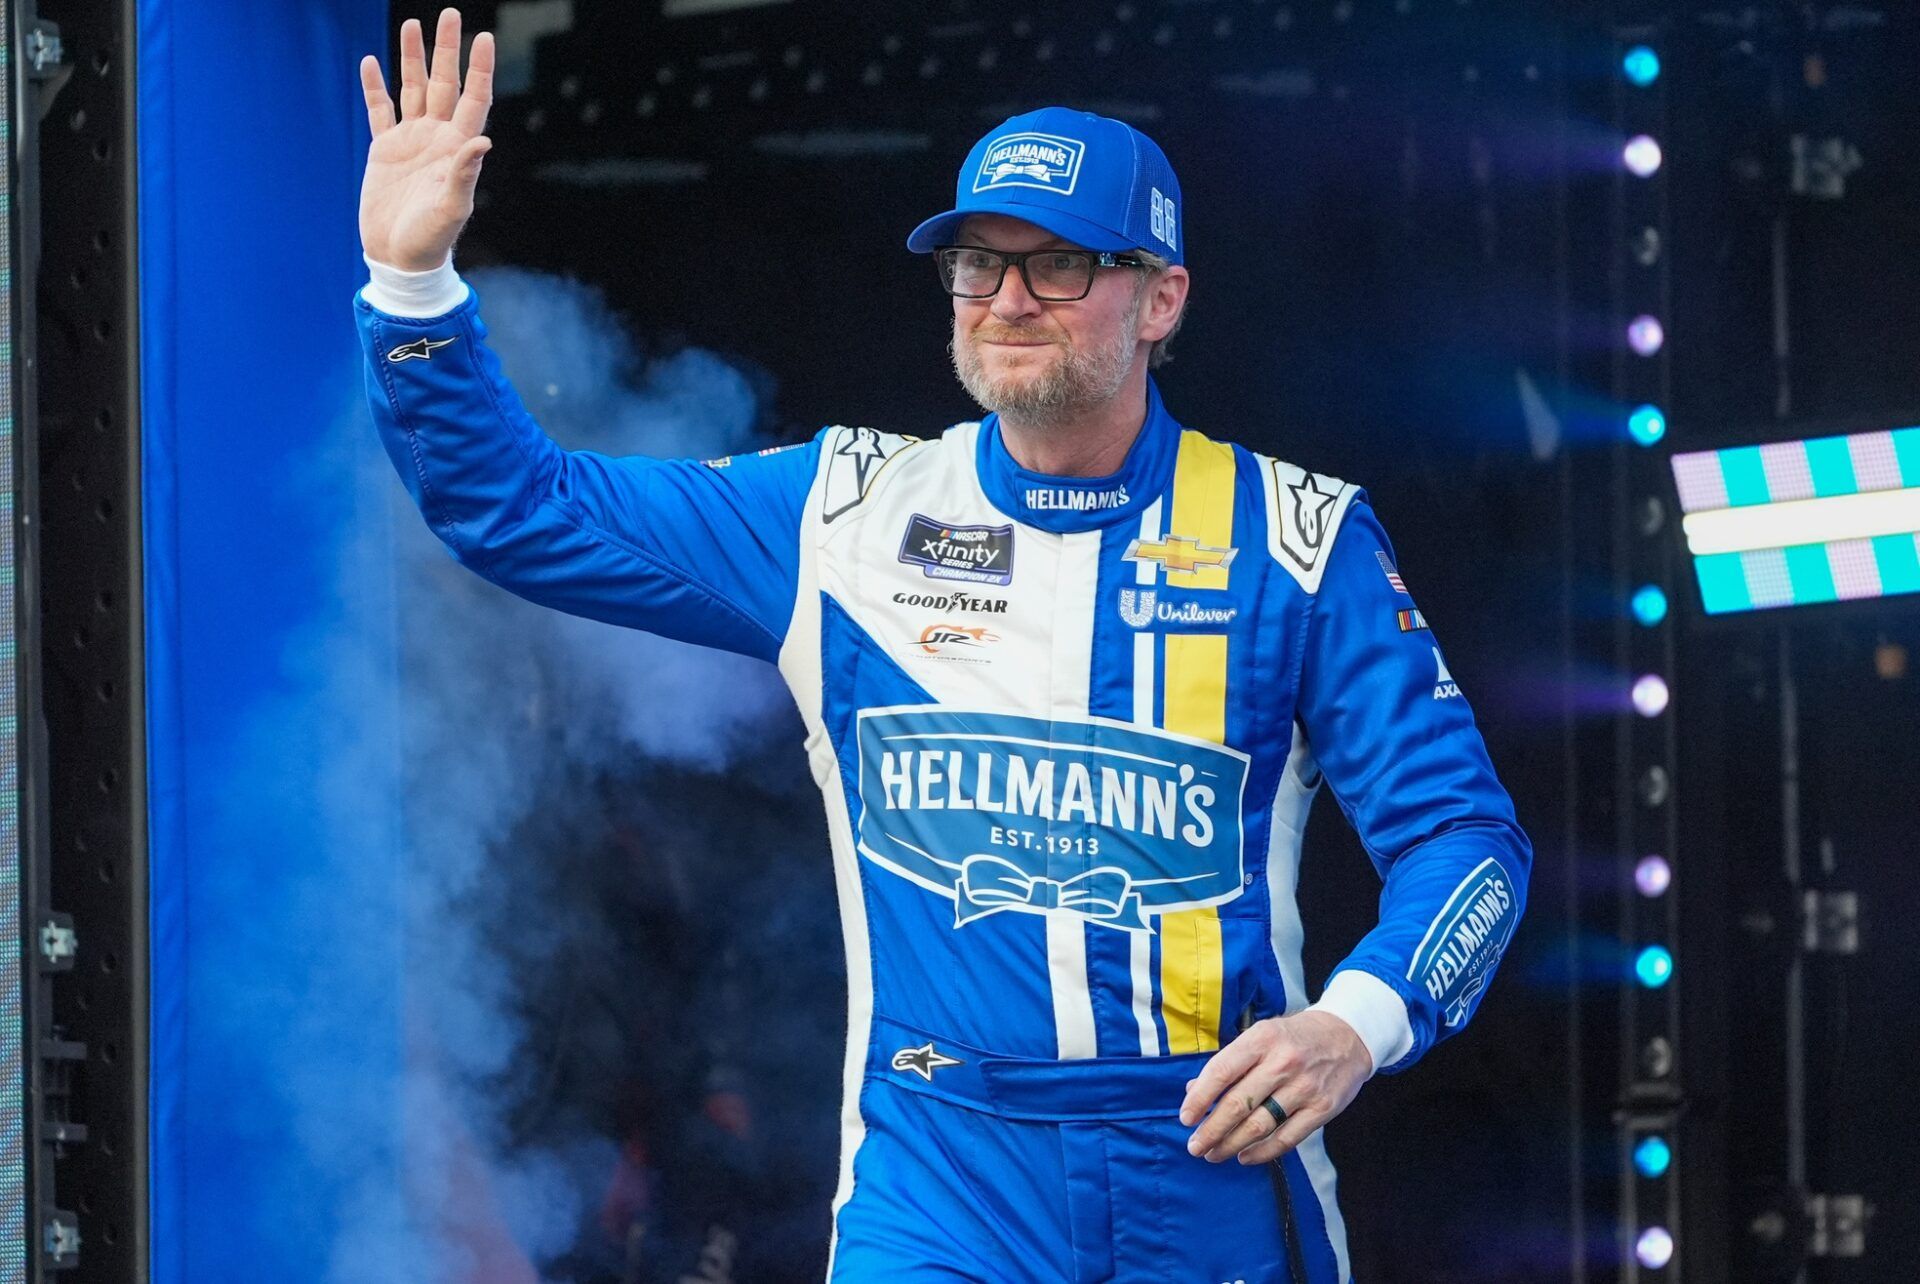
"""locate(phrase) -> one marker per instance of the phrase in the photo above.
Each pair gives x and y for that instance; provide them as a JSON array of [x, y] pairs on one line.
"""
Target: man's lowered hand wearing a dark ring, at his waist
[[1310, 1062]]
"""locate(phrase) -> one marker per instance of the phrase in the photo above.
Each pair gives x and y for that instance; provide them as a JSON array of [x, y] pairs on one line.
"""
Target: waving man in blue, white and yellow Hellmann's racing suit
[[1070, 677]]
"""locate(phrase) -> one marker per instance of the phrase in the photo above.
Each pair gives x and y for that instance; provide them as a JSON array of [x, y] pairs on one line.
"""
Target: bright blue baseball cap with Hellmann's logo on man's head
[[1095, 181]]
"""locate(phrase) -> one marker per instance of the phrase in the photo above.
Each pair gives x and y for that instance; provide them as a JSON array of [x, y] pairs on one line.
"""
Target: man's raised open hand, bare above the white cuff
[[421, 172]]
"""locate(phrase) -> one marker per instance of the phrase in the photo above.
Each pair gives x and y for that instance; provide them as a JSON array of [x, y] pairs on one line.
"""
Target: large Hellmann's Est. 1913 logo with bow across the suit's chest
[[1088, 817]]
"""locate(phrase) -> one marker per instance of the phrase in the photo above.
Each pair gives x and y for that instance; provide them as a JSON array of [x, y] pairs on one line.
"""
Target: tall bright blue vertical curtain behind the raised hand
[[274, 830]]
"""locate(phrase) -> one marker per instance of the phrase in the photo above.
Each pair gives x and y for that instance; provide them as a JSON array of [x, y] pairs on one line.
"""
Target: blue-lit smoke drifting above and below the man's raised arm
[[450, 767]]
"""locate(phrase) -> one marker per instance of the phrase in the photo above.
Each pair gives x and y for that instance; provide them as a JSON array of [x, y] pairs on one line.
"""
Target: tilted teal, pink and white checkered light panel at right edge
[[1798, 523]]
